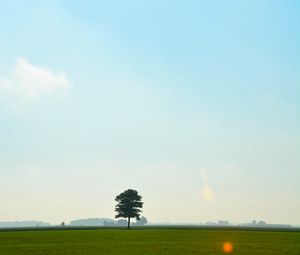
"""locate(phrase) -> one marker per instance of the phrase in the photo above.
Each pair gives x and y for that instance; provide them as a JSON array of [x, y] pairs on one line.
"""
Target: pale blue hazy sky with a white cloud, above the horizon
[[195, 104]]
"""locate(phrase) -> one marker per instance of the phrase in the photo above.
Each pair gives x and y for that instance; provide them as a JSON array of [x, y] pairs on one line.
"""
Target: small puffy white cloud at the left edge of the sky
[[28, 82]]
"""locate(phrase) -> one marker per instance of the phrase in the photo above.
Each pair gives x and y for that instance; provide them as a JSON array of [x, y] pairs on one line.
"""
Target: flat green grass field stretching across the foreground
[[147, 242]]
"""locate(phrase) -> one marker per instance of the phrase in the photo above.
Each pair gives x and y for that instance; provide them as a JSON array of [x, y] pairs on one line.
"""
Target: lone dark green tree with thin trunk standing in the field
[[129, 204]]
